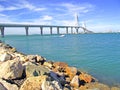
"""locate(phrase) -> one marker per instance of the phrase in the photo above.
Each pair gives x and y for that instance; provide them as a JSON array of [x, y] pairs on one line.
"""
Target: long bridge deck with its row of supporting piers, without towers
[[26, 26]]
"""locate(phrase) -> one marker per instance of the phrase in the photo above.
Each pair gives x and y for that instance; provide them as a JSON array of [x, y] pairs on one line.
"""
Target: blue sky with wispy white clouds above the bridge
[[99, 15]]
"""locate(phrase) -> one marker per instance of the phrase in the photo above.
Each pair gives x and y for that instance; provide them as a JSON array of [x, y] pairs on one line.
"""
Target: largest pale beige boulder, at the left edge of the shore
[[11, 69]]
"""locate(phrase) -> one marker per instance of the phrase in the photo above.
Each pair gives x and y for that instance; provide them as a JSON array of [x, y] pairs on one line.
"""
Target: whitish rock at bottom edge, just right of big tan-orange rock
[[51, 85]]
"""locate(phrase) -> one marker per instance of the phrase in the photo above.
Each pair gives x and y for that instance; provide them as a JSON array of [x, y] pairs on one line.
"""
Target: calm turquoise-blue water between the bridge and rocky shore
[[97, 54]]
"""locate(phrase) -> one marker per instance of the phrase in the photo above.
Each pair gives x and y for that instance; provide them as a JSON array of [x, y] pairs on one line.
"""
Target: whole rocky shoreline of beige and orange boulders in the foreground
[[33, 72]]
